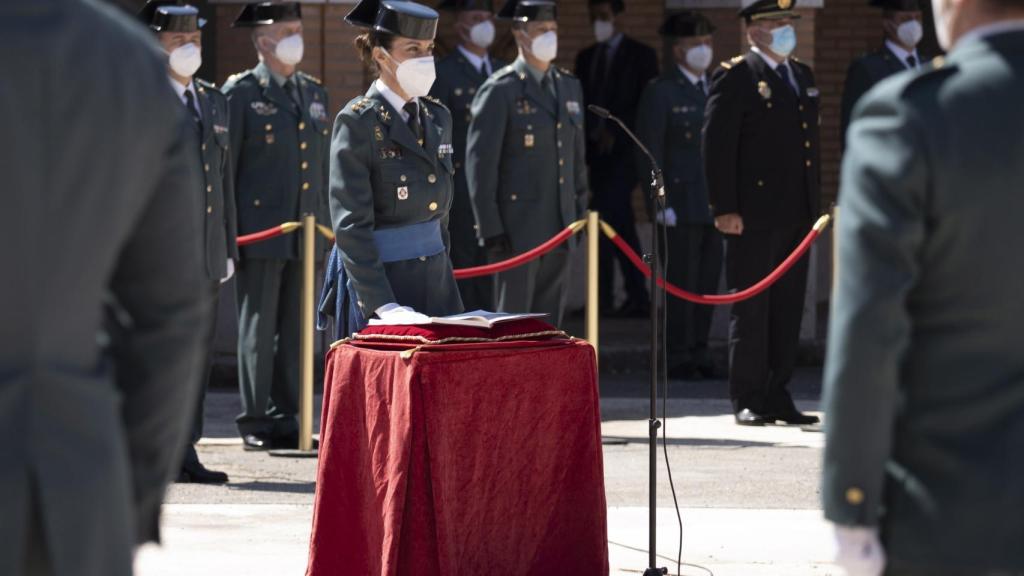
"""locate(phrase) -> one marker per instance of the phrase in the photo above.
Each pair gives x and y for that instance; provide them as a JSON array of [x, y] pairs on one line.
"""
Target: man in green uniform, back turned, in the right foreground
[[923, 387]]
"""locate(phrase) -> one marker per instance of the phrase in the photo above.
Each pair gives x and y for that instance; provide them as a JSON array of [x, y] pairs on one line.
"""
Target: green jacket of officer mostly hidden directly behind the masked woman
[[456, 88]]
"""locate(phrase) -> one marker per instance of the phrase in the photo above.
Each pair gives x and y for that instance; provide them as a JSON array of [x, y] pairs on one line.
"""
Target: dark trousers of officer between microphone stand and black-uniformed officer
[[695, 264]]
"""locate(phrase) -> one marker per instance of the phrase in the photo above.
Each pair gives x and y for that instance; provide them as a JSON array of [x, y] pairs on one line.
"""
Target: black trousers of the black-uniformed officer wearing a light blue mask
[[764, 333]]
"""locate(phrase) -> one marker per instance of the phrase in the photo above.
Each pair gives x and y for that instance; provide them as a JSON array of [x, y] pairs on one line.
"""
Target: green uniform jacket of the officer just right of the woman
[[526, 158]]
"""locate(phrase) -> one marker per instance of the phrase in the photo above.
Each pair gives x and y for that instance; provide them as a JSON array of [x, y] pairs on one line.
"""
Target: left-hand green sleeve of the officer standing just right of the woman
[[487, 133]]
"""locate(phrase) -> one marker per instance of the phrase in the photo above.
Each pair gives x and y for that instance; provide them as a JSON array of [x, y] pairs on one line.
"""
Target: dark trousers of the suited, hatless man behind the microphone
[[612, 184]]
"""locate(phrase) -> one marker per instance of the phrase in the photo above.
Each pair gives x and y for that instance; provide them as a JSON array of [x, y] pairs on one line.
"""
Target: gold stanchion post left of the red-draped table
[[307, 351]]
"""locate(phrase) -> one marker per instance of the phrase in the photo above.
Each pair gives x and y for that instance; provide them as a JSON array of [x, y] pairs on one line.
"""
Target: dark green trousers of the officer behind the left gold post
[[270, 294]]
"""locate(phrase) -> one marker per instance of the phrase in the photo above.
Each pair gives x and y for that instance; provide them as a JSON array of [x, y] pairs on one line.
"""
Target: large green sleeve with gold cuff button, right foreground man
[[882, 225]]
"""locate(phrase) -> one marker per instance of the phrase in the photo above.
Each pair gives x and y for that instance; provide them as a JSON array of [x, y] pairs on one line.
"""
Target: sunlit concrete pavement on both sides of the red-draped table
[[749, 497]]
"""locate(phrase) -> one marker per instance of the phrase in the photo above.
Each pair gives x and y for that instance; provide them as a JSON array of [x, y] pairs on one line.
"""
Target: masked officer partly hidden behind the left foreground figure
[[178, 28]]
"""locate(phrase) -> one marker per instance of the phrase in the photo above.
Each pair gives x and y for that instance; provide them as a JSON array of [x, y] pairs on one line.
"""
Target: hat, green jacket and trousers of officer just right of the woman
[[527, 172]]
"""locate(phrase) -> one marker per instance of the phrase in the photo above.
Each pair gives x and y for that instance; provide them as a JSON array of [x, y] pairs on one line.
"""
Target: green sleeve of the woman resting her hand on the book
[[353, 212]]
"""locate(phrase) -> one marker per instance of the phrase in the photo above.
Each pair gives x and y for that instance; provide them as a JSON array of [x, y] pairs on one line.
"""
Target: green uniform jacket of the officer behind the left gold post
[[279, 154]]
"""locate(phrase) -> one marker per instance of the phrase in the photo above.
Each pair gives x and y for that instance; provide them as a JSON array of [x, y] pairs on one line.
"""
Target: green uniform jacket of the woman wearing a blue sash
[[381, 178]]
